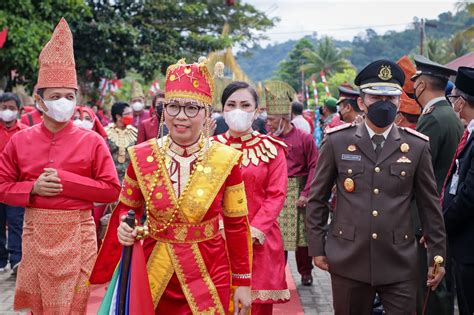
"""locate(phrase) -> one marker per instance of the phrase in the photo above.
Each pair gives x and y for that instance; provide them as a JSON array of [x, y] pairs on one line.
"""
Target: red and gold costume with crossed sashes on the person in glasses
[[190, 266]]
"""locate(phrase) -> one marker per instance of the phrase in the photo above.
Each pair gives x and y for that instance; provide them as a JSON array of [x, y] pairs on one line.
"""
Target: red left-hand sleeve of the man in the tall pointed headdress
[[12, 191]]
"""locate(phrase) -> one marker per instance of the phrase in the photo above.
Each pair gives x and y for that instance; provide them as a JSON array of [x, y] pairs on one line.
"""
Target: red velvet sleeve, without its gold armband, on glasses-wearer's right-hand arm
[[238, 239]]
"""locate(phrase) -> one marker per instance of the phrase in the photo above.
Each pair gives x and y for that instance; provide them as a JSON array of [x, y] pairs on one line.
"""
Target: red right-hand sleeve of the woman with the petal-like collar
[[275, 193]]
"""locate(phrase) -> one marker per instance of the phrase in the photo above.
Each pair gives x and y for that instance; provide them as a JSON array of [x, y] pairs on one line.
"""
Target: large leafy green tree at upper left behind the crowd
[[112, 37]]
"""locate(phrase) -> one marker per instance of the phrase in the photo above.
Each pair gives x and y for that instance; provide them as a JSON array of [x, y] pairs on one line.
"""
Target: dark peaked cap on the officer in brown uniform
[[381, 77]]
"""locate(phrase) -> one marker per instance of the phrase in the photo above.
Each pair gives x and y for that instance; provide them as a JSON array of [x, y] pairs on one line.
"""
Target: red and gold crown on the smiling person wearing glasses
[[189, 81]]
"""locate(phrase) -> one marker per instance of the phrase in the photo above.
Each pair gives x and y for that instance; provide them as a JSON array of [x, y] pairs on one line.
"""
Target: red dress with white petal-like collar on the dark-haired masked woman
[[265, 175]]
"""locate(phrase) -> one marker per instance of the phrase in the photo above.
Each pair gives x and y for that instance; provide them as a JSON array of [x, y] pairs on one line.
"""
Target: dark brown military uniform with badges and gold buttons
[[371, 237]]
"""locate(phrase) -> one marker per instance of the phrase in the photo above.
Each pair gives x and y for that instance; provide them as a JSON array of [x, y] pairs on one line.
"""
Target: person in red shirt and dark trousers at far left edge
[[10, 215]]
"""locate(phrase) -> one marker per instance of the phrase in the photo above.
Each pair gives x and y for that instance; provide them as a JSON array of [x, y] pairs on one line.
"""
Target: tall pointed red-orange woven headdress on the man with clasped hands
[[56, 61]]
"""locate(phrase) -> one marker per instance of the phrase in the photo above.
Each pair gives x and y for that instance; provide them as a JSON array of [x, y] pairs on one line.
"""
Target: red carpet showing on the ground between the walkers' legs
[[292, 307]]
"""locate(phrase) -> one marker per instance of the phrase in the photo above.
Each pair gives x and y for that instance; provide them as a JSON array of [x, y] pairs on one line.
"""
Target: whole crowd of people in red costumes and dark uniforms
[[382, 200]]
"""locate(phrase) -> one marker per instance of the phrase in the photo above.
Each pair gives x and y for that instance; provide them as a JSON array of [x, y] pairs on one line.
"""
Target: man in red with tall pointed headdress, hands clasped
[[56, 171]]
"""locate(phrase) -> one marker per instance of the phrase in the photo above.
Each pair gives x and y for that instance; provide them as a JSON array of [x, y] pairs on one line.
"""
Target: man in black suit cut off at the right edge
[[458, 194]]
